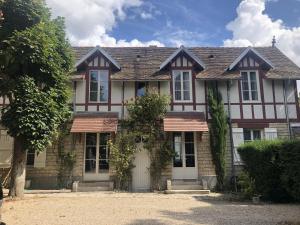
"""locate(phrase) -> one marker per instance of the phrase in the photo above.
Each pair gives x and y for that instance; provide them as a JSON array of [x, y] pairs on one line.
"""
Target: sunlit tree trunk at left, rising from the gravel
[[17, 178]]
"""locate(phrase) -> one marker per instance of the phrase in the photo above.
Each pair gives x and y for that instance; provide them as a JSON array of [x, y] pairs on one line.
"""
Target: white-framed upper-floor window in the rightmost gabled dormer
[[249, 86]]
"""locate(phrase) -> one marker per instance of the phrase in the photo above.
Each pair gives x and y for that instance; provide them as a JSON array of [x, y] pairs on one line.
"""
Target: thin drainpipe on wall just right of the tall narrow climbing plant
[[229, 83]]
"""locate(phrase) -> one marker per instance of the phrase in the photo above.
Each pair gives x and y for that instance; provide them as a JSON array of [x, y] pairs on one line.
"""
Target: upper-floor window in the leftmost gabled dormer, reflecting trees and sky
[[98, 86]]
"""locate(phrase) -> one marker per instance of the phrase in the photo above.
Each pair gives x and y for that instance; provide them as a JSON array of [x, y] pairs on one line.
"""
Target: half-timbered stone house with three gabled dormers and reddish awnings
[[258, 86]]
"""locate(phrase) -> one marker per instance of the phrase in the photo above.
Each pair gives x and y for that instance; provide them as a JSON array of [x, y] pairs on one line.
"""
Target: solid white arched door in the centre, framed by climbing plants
[[140, 173]]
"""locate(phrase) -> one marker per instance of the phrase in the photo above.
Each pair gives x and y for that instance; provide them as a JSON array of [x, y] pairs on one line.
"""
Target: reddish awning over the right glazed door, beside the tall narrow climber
[[185, 121]]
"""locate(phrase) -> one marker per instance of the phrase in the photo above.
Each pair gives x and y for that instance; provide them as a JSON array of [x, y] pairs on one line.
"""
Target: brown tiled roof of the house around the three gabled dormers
[[216, 67]]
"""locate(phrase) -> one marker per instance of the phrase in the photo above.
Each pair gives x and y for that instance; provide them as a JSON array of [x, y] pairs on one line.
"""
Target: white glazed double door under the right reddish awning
[[185, 159]]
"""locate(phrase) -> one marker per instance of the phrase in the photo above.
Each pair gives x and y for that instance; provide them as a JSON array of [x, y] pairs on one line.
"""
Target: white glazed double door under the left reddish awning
[[96, 160]]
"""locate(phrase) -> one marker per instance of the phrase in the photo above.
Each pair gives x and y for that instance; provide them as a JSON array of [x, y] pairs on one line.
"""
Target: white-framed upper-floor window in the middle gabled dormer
[[182, 85]]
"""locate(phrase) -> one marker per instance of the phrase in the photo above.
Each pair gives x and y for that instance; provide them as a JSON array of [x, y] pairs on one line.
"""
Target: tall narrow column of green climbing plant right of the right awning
[[217, 131]]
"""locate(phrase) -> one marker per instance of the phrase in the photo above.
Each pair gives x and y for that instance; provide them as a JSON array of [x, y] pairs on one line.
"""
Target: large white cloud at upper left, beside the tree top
[[89, 21]]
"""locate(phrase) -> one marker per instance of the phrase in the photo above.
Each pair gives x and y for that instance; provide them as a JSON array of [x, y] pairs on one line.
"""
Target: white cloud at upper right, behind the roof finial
[[253, 27]]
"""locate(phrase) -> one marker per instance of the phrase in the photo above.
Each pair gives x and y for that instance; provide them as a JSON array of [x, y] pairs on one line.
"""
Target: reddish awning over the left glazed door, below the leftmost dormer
[[95, 123]]
